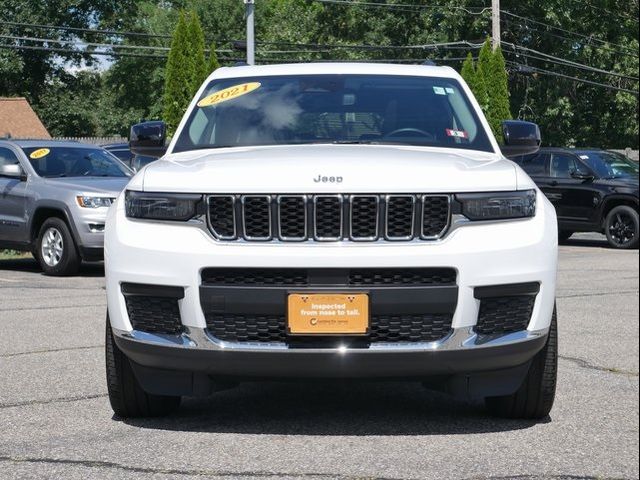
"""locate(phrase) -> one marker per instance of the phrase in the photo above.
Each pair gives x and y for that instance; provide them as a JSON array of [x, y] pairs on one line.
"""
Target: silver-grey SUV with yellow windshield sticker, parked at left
[[54, 198]]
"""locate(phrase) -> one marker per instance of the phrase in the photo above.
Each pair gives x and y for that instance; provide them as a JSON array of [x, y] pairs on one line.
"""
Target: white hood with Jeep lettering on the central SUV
[[329, 168]]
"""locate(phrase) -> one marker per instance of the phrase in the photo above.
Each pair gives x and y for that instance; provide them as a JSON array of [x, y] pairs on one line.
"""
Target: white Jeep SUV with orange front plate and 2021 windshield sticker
[[332, 221]]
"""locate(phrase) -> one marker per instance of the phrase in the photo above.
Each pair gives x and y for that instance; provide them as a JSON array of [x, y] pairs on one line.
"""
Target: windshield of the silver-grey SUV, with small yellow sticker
[[53, 162]]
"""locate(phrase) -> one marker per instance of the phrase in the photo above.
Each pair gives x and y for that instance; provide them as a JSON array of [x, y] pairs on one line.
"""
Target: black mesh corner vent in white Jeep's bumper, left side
[[153, 314]]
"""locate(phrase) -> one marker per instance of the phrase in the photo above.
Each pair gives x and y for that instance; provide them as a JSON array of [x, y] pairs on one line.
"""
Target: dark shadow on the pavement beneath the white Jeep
[[360, 409]]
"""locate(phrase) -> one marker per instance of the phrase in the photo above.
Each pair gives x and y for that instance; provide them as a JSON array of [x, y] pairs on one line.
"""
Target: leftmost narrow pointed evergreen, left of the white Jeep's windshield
[[178, 76]]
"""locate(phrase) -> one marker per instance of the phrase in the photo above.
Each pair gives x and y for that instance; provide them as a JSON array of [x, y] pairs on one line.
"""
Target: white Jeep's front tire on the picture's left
[[127, 398]]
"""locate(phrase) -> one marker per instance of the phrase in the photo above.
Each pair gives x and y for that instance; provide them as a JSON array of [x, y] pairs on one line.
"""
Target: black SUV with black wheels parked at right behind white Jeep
[[593, 191]]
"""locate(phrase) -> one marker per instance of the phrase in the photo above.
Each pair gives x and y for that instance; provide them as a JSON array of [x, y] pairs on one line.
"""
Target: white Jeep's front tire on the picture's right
[[534, 399]]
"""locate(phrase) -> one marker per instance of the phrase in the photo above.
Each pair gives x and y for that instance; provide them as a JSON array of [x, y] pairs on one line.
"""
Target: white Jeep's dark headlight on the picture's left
[[161, 206]]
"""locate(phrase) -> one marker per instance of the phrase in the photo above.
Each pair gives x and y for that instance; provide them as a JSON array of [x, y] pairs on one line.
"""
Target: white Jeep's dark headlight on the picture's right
[[498, 206]]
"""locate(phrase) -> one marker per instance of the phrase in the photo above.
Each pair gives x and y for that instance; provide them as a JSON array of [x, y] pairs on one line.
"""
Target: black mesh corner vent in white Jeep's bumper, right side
[[499, 315]]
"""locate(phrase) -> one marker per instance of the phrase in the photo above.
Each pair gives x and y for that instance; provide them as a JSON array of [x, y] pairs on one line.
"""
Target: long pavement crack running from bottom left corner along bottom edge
[[172, 471]]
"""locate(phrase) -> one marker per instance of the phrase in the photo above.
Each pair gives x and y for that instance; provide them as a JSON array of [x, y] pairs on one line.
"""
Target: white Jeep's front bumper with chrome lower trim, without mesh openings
[[483, 255]]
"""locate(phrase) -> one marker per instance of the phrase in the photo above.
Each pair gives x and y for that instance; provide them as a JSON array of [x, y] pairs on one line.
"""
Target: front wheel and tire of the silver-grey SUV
[[55, 248]]
